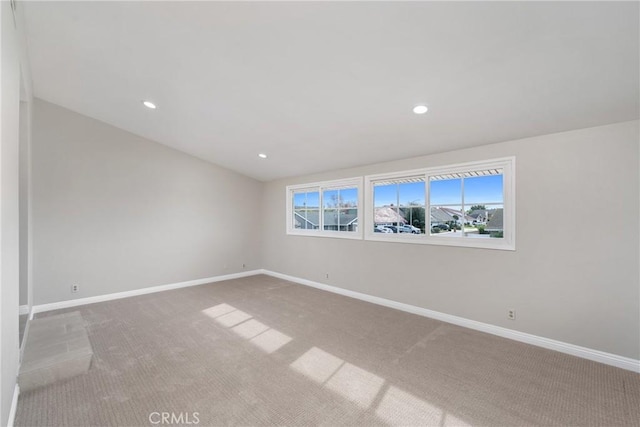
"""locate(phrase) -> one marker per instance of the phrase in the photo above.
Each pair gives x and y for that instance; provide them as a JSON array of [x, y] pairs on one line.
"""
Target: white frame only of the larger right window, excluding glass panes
[[507, 242]]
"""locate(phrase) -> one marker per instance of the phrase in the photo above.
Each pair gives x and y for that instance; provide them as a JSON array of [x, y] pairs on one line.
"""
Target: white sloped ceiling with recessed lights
[[321, 86]]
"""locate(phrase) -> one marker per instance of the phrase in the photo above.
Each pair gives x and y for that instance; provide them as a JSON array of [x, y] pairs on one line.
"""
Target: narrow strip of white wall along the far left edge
[[13, 66]]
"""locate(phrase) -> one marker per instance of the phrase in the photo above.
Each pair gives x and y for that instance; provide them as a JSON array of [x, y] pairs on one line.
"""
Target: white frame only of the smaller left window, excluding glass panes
[[321, 187]]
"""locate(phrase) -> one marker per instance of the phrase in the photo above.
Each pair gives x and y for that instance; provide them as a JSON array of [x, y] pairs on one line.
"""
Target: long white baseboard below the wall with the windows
[[574, 350]]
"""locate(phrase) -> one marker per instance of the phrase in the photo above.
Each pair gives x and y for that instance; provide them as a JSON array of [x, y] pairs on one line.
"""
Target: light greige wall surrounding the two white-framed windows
[[573, 278]]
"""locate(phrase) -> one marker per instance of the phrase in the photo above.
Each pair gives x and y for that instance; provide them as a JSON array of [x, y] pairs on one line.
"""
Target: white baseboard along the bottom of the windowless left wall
[[108, 297]]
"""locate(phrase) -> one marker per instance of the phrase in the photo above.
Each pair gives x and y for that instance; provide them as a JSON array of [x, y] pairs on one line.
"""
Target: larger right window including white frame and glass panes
[[469, 204]]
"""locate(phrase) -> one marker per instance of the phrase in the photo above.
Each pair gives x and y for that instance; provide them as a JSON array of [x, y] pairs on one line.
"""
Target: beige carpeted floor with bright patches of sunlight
[[263, 351]]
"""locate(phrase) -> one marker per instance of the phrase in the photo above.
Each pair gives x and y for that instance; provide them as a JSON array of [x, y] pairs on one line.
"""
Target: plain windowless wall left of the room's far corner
[[114, 212]]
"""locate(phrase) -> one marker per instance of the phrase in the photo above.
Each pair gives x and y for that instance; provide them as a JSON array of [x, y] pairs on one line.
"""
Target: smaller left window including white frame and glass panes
[[328, 209]]
